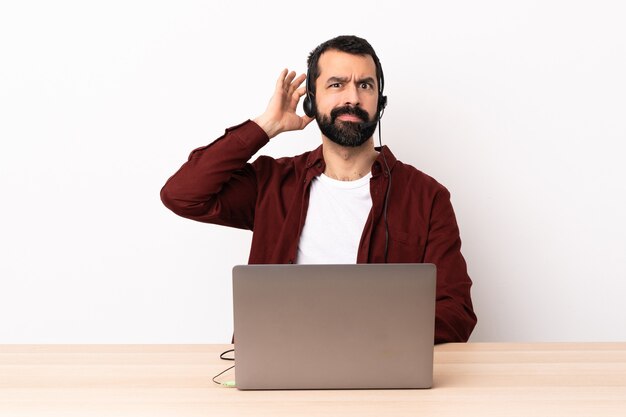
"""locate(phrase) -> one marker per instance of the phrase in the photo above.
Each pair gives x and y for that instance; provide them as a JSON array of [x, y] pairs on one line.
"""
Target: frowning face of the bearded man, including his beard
[[346, 95]]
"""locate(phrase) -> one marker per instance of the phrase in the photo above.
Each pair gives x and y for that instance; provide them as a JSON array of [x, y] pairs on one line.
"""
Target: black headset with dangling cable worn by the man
[[308, 105]]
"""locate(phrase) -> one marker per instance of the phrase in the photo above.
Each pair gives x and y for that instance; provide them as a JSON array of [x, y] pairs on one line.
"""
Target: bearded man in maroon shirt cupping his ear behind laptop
[[344, 202]]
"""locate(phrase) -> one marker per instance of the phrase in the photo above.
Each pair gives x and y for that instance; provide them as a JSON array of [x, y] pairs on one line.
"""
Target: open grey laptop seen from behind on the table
[[359, 326]]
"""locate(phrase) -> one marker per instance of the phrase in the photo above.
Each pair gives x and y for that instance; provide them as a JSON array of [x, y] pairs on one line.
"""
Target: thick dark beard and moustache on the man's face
[[349, 134]]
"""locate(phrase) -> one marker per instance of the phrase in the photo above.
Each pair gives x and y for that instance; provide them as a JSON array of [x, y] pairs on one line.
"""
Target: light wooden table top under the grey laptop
[[475, 379]]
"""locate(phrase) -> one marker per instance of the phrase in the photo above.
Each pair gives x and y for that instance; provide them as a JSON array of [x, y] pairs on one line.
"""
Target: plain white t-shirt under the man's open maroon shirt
[[335, 220]]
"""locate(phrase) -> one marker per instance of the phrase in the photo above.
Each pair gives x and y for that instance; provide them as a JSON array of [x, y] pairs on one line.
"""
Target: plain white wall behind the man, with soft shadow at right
[[518, 107]]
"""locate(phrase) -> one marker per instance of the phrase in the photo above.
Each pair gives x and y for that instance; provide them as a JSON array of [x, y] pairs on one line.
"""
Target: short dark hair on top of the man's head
[[346, 43]]
